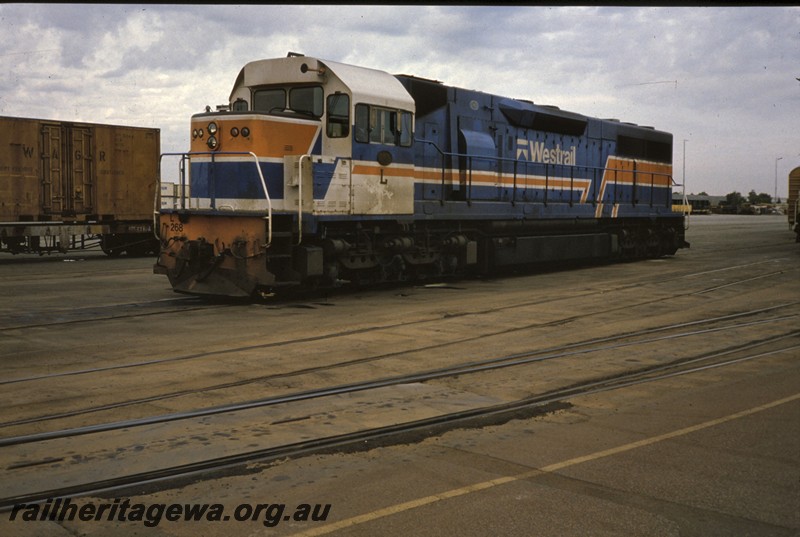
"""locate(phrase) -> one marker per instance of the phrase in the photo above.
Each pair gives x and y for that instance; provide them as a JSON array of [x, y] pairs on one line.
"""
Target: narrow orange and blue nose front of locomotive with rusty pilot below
[[210, 246]]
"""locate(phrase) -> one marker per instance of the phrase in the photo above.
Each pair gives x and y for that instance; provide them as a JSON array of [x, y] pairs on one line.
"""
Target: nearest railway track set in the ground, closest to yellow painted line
[[380, 435]]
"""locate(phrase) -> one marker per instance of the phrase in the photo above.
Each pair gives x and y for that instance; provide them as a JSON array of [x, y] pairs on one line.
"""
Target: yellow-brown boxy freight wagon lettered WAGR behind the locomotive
[[66, 185]]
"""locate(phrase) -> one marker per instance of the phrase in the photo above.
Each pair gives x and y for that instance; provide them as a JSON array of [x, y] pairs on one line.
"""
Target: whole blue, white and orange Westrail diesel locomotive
[[319, 173]]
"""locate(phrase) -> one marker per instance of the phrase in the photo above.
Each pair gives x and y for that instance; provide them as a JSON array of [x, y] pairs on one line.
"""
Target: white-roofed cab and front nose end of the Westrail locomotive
[[302, 140]]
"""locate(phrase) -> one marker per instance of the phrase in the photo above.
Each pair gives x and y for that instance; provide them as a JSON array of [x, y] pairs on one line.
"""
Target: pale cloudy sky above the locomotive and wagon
[[722, 80]]
